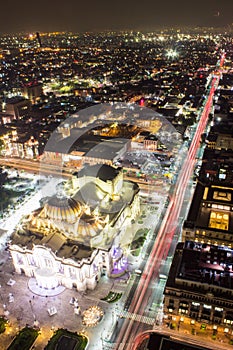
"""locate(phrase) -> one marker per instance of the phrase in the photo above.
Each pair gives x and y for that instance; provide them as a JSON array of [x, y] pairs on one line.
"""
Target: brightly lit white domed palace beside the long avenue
[[76, 235]]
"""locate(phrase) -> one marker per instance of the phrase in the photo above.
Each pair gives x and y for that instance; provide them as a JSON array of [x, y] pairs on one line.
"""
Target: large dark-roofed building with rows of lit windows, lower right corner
[[199, 284]]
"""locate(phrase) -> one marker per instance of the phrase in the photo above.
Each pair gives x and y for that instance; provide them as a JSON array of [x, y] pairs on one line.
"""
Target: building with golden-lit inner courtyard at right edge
[[210, 218]]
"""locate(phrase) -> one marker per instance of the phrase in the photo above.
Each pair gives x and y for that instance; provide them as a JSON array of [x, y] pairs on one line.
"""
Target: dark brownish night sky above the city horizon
[[98, 15]]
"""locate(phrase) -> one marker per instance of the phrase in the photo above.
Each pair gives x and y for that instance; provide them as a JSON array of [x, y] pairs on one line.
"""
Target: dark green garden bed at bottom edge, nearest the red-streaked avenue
[[63, 339]]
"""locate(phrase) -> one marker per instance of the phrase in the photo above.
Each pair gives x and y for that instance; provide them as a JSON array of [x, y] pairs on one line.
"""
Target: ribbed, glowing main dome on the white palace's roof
[[66, 209]]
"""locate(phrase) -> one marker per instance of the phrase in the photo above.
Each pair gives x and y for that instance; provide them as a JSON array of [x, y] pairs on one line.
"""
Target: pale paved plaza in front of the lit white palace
[[28, 308]]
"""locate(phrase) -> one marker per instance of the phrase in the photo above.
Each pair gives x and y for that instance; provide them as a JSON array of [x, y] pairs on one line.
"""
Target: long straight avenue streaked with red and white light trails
[[129, 330]]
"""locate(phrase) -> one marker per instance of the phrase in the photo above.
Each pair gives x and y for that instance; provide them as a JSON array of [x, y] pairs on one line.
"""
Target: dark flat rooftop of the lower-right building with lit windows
[[208, 267]]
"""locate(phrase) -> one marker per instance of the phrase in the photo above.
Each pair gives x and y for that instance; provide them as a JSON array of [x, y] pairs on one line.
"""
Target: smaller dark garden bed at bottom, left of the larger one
[[24, 339]]
